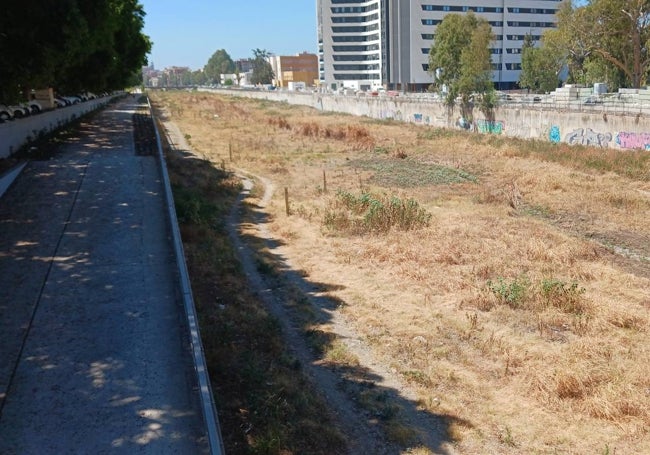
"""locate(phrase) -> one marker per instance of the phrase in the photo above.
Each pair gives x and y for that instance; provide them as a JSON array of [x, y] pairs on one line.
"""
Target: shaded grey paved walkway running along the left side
[[93, 357]]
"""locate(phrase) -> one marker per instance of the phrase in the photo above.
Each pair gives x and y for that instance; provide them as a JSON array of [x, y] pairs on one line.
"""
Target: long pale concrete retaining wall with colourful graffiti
[[618, 126]]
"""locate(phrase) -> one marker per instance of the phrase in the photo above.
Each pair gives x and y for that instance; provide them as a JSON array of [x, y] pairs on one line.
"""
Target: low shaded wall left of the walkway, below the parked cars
[[16, 133]]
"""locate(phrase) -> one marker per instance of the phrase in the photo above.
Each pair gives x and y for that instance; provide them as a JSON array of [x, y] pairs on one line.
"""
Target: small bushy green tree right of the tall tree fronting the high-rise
[[540, 67]]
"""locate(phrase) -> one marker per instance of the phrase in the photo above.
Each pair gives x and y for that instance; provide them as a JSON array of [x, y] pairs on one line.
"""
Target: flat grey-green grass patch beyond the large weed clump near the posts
[[406, 173]]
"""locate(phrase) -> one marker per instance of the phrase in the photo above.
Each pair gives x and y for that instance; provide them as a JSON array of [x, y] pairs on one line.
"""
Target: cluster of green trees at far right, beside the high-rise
[[601, 41]]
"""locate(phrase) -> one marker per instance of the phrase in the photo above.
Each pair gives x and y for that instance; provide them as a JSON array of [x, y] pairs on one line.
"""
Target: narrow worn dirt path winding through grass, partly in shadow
[[364, 434]]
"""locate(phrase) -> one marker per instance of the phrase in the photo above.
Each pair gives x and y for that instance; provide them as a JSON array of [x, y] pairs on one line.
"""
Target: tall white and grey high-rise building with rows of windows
[[364, 44]]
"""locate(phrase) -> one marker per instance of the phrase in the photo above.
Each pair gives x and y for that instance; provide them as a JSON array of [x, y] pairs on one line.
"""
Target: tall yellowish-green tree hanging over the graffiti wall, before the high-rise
[[461, 63]]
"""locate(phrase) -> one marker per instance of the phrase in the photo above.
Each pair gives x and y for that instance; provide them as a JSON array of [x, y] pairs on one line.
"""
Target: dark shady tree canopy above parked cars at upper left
[[71, 45]]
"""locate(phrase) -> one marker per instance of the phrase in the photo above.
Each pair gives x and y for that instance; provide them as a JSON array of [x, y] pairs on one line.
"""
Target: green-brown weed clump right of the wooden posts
[[368, 213]]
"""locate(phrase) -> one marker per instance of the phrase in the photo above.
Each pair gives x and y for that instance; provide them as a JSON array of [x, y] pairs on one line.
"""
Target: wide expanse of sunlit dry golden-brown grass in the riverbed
[[521, 309]]
